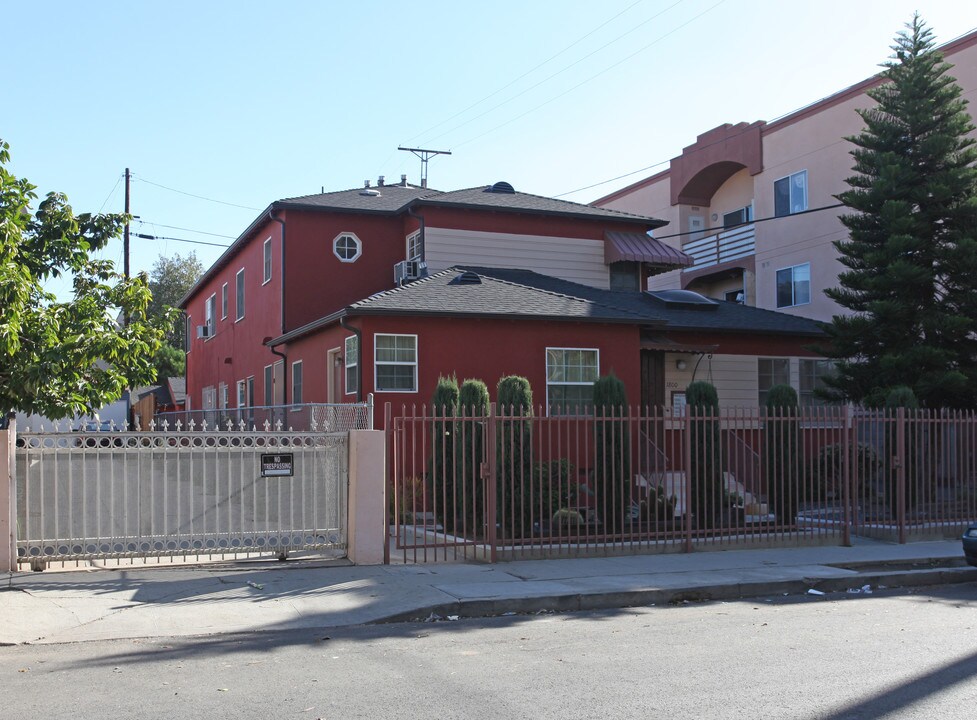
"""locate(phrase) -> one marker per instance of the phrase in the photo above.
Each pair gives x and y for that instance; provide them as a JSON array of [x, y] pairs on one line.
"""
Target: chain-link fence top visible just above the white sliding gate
[[310, 417]]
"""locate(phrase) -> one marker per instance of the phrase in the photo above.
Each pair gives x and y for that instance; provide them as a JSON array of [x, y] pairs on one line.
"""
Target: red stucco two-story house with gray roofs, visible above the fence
[[381, 290]]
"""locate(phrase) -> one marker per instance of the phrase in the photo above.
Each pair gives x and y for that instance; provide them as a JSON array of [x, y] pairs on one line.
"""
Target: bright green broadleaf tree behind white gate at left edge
[[59, 358]]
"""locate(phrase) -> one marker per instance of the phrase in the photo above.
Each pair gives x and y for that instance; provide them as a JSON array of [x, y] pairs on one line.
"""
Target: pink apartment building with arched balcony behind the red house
[[754, 205]]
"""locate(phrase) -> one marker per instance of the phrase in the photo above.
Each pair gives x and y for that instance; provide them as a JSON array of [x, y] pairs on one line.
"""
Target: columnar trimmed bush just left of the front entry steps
[[705, 471]]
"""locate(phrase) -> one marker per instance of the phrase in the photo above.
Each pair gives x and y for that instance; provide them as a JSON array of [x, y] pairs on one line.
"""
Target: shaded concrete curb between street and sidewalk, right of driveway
[[697, 593]]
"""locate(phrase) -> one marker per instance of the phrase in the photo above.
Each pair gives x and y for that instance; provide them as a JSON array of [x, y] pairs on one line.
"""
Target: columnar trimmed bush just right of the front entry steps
[[784, 464]]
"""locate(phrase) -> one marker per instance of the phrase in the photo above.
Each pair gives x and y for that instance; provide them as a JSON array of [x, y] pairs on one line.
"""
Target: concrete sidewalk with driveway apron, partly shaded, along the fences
[[76, 606]]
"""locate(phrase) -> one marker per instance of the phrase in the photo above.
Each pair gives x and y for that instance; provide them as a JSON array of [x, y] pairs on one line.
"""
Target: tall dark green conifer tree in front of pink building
[[911, 255]]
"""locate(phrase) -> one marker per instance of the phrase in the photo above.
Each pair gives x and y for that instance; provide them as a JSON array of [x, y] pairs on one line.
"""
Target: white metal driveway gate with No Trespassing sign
[[125, 494]]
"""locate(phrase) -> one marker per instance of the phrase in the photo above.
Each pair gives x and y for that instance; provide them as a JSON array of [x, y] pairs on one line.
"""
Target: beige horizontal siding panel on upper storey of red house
[[574, 259]]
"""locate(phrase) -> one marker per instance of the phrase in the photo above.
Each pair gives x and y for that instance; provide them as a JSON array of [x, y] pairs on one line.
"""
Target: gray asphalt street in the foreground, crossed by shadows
[[885, 654]]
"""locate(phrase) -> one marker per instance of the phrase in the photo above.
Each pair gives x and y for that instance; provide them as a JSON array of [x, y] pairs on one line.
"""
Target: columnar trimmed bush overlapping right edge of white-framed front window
[[612, 457]]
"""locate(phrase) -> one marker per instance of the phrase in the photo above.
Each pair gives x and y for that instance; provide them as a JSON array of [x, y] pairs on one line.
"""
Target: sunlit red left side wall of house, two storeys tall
[[236, 351]]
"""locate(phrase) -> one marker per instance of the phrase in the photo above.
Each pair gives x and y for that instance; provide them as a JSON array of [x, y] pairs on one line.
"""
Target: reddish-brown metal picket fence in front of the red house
[[510, 486]]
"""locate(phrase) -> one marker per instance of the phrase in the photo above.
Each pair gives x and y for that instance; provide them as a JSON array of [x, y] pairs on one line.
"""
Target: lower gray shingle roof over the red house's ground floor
[[524, 293]]
